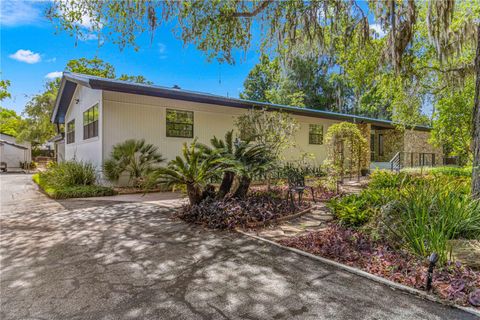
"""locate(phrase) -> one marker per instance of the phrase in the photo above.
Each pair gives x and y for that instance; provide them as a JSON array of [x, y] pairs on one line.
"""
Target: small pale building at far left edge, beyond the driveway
[[12, 153]]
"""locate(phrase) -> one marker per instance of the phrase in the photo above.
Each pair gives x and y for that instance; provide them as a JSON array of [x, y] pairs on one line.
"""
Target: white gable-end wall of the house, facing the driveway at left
[[89, 150]]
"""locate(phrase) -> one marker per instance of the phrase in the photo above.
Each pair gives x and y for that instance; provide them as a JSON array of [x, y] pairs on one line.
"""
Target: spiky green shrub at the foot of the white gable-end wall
[[70, 173]]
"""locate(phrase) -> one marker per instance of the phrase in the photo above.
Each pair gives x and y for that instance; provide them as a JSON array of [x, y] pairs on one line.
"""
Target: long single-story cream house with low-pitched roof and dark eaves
[[98, 113]]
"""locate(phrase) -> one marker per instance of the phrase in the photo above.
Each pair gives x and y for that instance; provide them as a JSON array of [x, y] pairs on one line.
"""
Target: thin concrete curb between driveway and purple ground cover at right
[[364, 274]]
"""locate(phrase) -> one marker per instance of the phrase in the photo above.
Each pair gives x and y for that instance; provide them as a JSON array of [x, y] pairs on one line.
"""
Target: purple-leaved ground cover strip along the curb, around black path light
[[454, 282]]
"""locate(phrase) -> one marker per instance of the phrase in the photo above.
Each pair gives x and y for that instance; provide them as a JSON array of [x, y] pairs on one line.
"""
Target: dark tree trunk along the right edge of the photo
[[476, 126]]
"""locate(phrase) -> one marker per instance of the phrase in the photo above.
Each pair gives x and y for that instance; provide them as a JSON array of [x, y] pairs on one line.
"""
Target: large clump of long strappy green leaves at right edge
[[432, 213]]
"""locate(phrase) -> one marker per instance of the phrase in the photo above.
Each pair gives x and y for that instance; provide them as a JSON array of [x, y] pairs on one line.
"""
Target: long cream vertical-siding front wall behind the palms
[[127, 116]]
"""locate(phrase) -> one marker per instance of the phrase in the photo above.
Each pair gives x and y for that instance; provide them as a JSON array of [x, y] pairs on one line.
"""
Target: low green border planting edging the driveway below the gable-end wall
[[83, 191]]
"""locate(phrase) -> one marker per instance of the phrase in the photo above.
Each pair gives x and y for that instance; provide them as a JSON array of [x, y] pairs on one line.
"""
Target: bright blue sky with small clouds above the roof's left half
[[165, 61]]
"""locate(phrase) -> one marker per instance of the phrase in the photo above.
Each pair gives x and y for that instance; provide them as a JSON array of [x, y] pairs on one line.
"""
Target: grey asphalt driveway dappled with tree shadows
[[96, 259]]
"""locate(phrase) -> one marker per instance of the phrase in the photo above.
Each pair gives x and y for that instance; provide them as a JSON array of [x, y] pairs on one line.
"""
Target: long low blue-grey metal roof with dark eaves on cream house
[[71, 80]]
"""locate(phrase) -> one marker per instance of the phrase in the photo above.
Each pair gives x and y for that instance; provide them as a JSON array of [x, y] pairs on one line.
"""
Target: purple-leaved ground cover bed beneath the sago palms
[[231, 213]]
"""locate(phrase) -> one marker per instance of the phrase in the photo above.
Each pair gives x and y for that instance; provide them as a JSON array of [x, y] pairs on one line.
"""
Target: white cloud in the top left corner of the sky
[[14, 13]]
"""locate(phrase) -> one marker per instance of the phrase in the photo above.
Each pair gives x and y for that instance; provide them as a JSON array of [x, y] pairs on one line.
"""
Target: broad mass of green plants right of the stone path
[[420, 212]]
